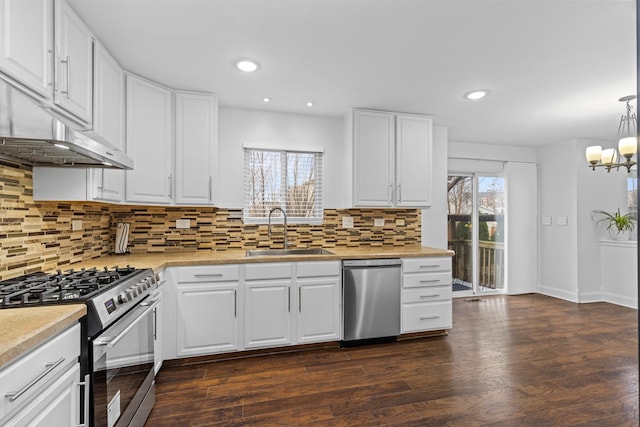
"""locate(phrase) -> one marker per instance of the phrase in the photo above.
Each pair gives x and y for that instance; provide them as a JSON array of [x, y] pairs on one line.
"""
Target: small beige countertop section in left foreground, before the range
[[24, 328]]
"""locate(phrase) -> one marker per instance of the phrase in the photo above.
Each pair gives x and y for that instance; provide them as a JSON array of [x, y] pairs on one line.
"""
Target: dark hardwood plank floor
[[525, 360]]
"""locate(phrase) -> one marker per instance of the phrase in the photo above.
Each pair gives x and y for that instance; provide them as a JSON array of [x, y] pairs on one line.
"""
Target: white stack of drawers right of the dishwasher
[[426, 294]]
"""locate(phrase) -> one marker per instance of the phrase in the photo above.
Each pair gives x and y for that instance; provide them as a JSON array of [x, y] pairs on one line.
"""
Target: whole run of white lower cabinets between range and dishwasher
[[226, 308]]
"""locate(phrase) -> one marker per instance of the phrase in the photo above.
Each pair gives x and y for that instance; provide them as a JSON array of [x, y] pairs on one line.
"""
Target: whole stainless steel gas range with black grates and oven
[[117, 335]]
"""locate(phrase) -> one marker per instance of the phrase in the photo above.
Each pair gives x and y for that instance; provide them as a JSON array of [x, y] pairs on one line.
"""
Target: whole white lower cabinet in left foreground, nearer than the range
[[42, 388]]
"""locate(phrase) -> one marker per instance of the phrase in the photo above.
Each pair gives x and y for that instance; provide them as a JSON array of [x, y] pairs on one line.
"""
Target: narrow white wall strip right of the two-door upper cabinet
[[434, 219]]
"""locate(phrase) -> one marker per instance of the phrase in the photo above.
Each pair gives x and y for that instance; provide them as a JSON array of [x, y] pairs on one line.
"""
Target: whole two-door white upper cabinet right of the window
[[392, 157]]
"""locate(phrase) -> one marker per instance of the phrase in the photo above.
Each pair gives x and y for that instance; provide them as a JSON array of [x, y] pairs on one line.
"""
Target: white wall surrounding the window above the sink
[[243, 126]]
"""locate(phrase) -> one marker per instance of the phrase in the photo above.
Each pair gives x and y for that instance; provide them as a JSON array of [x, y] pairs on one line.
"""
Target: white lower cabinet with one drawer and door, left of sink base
[[207, 318]]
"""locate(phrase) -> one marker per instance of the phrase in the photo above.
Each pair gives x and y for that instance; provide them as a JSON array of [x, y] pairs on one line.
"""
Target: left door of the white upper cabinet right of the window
[[373, 158]]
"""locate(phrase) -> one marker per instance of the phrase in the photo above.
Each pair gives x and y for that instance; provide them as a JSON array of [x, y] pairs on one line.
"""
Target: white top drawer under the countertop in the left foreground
[[47, 362]]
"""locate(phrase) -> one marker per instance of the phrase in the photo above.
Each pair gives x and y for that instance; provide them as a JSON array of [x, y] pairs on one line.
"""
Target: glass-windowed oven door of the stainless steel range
[[123, 369]]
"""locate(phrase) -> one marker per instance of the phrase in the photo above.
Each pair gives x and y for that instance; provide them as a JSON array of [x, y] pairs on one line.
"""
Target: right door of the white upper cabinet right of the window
[[413, 160]]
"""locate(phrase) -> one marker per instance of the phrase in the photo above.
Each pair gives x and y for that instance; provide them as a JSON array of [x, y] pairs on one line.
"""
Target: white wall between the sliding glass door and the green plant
[[569, 255]]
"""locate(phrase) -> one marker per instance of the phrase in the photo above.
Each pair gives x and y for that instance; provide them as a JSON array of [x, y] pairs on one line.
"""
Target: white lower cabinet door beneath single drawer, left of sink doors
[[207, 319]]
